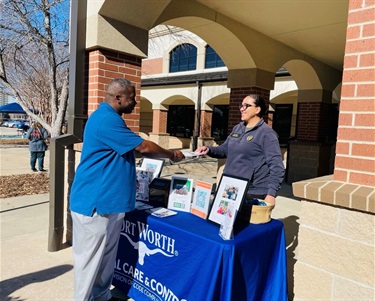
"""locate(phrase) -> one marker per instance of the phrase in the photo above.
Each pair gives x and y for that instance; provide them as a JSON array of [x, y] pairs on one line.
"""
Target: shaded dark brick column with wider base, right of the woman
[[312, 153]]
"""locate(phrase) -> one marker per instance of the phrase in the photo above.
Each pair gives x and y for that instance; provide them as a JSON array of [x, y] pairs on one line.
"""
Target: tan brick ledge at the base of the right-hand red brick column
[[339, 194]]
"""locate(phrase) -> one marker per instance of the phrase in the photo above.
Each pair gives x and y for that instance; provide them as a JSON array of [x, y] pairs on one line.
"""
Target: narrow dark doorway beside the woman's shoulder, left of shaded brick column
[[282, 122]]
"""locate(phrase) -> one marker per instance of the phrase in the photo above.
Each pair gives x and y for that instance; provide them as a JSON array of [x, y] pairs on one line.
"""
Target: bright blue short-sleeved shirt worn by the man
[[105, 178]]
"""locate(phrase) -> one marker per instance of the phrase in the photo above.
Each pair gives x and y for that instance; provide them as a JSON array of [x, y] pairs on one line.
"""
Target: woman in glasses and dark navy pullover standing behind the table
[[253, 152]]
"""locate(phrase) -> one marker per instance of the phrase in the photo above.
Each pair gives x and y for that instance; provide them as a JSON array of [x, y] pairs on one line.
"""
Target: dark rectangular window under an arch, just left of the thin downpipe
[[180, 121]]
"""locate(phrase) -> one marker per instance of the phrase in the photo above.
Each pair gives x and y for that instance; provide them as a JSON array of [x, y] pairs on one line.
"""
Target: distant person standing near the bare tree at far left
[[37, 136]]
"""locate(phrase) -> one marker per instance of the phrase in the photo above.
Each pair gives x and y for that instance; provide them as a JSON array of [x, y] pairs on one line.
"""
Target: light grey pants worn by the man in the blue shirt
[[95, 242]]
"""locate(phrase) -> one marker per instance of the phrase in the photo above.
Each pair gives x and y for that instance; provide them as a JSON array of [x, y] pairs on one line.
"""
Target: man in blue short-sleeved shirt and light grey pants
[[104, 188]]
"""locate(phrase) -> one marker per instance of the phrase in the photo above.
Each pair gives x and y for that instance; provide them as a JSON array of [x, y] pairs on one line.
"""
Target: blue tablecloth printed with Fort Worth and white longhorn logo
[[182, 257]]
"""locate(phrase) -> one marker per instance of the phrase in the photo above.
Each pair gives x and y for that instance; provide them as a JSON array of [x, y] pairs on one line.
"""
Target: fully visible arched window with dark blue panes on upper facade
[[183, 58]]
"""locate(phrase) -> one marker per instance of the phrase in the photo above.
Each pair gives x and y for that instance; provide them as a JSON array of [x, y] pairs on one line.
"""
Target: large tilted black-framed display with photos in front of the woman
[[231, 190]]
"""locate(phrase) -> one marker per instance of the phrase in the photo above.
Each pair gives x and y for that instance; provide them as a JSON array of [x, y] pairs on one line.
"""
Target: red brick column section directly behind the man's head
[[104, 65]]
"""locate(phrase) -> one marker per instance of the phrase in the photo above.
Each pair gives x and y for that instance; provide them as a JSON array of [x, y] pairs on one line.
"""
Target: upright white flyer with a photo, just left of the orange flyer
[[180, 194]]
